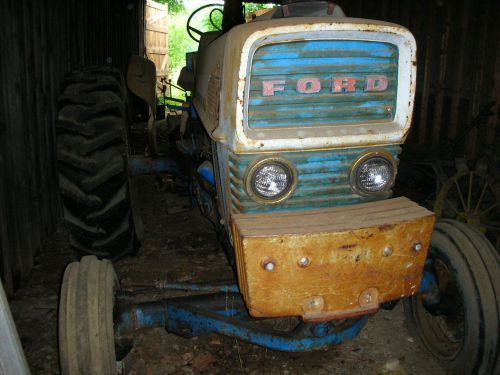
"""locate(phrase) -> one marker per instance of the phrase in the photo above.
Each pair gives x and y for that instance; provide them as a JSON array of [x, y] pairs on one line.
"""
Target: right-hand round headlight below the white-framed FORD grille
[[373, 173]]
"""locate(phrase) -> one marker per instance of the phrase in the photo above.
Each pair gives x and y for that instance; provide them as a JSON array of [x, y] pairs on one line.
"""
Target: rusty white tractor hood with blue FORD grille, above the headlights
[[307, 83]]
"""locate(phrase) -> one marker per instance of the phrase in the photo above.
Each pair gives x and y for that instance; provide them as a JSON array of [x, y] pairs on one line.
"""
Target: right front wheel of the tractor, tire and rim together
[[458, 319]]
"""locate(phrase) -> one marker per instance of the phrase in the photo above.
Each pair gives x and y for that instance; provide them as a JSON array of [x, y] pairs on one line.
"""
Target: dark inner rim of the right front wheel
[[443, 323]]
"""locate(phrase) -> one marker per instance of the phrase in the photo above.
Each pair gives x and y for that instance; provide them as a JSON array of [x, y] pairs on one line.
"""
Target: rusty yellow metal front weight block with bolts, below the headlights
[[331, 263]]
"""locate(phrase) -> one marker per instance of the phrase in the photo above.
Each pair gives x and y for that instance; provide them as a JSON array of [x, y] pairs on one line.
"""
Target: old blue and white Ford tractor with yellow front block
[[289, 141]]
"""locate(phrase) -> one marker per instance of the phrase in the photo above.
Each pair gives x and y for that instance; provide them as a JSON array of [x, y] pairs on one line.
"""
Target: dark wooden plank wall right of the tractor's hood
[[458, 74]]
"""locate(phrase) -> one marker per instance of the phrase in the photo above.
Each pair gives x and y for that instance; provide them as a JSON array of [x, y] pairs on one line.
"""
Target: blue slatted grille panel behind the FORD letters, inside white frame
[[325, 60]]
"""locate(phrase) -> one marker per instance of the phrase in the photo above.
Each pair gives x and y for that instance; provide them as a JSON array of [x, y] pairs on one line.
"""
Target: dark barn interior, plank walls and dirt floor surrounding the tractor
[[451, 151]]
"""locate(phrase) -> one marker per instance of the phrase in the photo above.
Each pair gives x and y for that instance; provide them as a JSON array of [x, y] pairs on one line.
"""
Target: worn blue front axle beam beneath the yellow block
[[225, 313]]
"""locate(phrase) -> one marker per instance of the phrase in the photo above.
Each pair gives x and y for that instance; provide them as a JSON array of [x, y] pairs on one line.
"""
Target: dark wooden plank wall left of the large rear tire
[[40, 42]]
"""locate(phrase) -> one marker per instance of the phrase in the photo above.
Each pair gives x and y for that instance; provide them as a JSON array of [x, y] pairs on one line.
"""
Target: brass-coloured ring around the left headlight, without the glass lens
[[260, 163]]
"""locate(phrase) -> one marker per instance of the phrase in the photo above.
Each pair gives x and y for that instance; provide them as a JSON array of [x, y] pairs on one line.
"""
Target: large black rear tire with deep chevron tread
[[92, 160]]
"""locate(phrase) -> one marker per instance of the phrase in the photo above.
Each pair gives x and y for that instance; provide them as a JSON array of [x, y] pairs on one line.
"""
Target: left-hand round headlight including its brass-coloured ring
[[270, 180]]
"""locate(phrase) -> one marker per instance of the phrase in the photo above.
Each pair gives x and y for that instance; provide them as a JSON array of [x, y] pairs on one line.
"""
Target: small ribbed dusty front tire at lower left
[[86, 335]]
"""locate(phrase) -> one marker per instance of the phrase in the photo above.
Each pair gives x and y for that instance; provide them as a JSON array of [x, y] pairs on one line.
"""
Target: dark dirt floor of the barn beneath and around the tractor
[[179, 245]]
